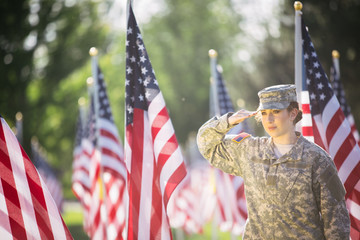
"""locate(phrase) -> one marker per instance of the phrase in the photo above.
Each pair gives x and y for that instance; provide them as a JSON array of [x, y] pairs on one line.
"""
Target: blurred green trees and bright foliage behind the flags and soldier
[[44, 60]]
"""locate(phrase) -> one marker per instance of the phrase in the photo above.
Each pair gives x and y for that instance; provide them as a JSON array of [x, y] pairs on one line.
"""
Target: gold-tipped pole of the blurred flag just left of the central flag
[[93, 53]]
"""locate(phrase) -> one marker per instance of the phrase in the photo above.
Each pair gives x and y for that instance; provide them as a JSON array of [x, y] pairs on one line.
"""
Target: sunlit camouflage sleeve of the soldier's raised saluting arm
[[215, 148]]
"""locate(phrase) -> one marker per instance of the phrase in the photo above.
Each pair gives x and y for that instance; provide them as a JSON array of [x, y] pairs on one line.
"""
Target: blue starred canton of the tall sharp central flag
[[140, 83]]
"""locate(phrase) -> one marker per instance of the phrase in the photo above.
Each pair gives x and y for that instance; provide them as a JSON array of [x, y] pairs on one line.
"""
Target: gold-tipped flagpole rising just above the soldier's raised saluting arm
[[213, 81]]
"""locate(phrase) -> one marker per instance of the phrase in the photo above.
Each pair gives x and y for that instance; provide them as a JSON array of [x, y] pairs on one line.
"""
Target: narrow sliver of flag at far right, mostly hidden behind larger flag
[[340, 94]]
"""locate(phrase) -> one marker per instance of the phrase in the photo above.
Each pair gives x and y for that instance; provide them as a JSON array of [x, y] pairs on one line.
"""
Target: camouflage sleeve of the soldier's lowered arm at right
[[330, 197]]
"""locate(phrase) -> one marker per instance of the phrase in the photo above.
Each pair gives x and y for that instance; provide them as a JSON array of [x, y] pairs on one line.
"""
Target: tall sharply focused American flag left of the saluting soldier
[[153, 158]]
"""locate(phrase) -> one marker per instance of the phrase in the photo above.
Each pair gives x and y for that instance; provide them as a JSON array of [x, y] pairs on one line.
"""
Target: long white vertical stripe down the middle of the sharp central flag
[[146, 182]]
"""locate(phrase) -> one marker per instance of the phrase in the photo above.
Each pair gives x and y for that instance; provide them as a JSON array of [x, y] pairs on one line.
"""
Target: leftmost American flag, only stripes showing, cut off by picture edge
[[27, 209]]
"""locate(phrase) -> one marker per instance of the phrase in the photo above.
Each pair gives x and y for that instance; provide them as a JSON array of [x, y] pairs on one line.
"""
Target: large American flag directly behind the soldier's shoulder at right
[[332, 131]]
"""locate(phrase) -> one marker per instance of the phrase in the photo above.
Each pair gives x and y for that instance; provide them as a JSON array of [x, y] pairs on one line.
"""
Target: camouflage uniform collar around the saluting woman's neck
[[294, 154]]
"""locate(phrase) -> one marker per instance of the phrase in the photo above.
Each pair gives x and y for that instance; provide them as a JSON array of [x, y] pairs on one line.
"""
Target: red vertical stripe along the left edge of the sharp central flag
[[136, 144]]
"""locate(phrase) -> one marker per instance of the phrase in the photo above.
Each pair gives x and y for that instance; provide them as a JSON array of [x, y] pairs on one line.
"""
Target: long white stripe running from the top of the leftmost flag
[[23, 190]]
